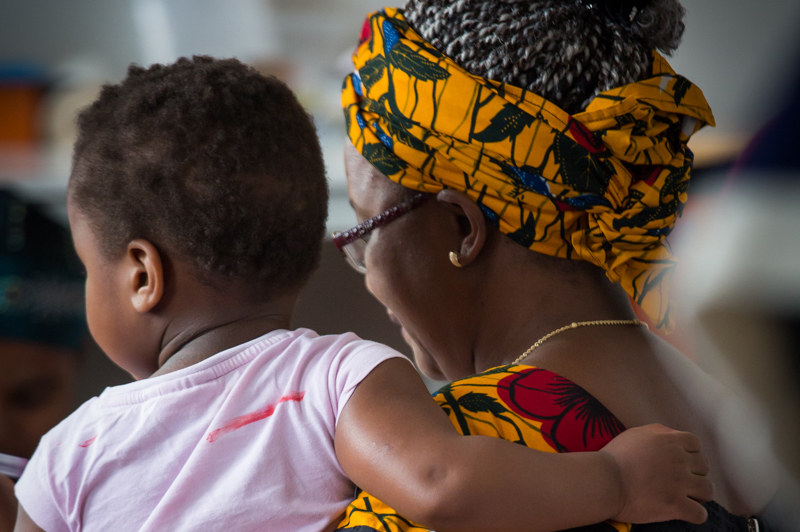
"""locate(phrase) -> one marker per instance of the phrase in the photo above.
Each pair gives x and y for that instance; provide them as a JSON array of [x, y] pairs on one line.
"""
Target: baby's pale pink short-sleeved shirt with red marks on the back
[[241, 441]]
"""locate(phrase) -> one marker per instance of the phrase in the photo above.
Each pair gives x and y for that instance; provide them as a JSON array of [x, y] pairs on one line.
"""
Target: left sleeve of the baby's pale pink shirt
[[35, 494]]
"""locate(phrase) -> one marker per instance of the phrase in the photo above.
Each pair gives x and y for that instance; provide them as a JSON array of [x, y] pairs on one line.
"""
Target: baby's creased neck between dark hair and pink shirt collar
[[193, 339]]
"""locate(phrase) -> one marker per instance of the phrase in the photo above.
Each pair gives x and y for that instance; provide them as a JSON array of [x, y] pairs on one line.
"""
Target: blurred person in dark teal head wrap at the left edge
[[42, 329]]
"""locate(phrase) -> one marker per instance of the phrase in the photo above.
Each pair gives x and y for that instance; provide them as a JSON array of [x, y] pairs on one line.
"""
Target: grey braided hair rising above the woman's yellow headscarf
[[566, 51]]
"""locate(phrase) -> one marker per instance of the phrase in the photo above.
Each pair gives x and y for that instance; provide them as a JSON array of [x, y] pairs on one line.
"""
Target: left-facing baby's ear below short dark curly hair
[[146, 275]]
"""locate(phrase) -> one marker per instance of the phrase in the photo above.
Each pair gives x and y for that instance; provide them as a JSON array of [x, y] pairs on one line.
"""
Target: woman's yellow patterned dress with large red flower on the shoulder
[[522, 404]]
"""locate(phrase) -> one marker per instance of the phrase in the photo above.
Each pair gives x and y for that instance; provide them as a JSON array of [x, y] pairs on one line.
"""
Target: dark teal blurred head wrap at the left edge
[[41, 286]]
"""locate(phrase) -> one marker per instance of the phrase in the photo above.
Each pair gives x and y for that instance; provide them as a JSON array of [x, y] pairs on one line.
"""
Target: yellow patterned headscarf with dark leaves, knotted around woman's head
[[605, 185]]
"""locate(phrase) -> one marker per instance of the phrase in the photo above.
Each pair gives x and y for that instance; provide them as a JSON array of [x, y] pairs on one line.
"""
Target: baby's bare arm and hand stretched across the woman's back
[[396, 443]]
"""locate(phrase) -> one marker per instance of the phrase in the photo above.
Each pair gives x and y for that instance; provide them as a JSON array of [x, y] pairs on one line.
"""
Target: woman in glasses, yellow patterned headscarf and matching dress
[[481, 131]]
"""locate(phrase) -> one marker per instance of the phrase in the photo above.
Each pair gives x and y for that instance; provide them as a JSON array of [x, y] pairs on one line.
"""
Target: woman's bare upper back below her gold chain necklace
[[635, 375]]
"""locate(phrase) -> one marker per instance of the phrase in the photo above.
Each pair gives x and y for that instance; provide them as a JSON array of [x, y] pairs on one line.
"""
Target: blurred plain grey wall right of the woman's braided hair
[[742, 53]]
